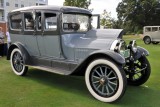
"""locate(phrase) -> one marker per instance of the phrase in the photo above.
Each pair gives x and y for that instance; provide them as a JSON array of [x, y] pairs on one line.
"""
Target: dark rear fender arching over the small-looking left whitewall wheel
[[25, 54]]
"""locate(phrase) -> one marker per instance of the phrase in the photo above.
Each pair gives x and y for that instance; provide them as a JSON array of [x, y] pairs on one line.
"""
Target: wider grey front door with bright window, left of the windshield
[[48, 40]]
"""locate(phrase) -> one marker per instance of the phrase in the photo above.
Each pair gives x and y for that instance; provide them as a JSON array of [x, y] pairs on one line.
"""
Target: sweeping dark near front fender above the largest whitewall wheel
[[108, 54]]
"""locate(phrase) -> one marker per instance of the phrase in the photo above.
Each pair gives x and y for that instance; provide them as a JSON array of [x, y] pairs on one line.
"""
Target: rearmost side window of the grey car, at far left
[[16, 21]]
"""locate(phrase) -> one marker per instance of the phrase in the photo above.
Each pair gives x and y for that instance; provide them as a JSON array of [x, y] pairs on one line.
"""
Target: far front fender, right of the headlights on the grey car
[[140, 52]]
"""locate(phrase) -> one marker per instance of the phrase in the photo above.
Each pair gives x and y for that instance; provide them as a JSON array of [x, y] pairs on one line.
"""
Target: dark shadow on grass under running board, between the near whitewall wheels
[[61, 82]]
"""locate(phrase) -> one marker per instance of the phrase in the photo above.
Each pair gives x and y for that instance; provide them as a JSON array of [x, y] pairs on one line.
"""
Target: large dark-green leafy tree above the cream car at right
[[138, 13]]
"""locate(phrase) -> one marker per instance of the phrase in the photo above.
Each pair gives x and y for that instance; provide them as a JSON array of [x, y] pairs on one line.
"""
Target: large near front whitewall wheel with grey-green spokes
[[120, 81]]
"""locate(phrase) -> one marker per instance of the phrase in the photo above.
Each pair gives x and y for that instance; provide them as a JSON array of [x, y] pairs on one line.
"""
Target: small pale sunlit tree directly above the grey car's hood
[[106, 19]]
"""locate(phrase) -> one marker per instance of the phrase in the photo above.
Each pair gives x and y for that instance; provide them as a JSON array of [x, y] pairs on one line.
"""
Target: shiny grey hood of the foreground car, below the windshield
[[94, 39]]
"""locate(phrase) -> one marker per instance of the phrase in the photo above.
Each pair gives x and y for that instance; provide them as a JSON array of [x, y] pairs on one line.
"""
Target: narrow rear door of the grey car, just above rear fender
[[29, 33]]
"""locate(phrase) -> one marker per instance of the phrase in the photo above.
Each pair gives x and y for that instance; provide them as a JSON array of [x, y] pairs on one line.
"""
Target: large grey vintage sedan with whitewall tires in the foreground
[[64, 40]]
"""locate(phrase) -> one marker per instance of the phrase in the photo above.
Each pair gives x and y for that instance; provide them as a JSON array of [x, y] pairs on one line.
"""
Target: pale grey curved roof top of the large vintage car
[[64, 9]]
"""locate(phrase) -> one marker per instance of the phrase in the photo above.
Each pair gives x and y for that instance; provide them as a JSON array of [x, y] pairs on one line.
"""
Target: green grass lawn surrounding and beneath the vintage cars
[[40, 88]]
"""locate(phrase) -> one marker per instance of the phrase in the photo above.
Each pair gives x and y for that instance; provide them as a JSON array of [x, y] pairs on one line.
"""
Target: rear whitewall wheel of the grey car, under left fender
[[16, 61]]
